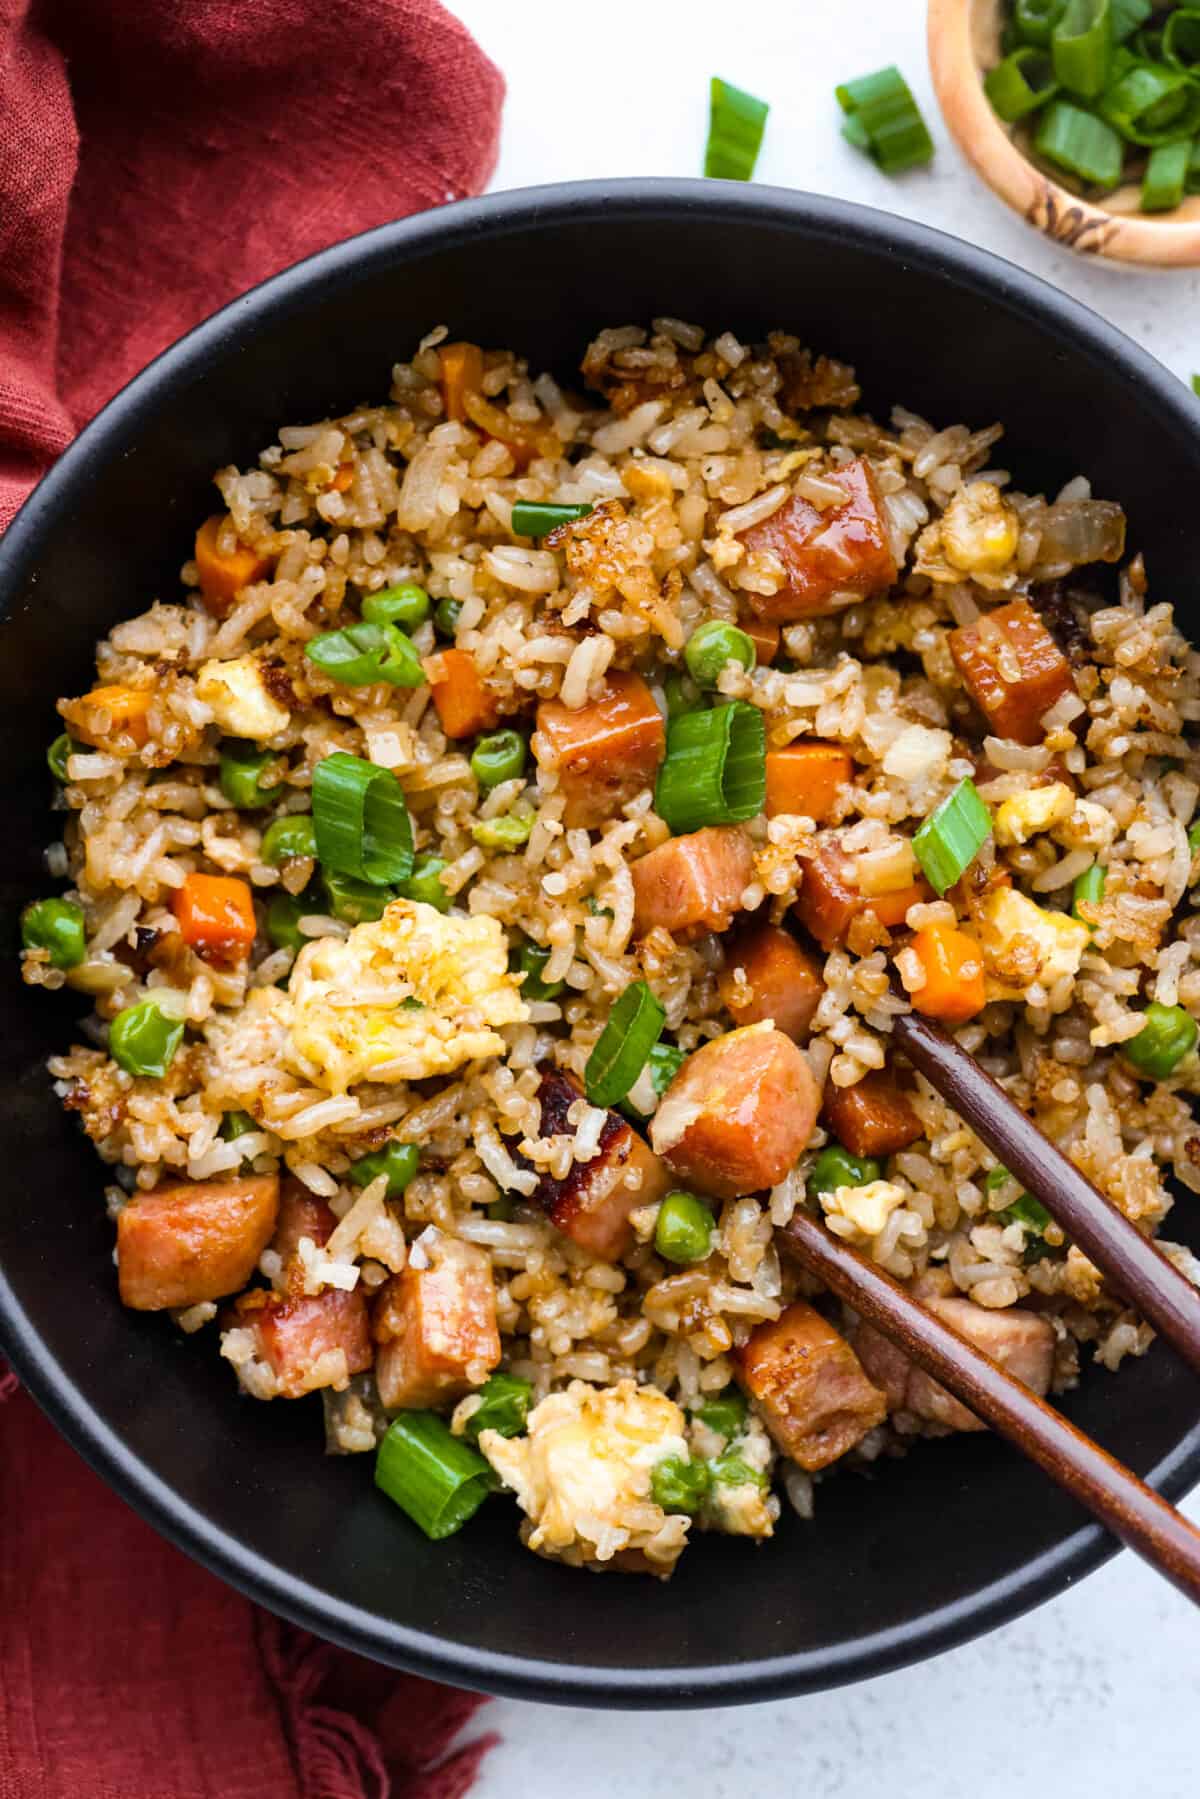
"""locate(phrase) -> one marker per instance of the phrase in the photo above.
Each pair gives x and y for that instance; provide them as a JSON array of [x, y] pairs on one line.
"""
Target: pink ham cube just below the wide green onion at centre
[[694, 884]]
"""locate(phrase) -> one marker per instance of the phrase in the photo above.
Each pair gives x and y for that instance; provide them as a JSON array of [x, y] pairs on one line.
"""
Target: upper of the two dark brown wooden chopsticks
[[1133, 1262]]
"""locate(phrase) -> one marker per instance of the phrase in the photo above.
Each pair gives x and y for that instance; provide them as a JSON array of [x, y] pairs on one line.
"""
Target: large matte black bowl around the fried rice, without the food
[[945, 1544]]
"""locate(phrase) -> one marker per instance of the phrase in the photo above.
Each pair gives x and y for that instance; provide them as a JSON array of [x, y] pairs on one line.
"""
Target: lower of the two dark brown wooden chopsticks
[[1113, 1492]]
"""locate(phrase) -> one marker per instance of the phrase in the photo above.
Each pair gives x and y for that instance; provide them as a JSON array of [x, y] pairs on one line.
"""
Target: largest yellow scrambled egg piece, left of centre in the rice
[[402, 999]]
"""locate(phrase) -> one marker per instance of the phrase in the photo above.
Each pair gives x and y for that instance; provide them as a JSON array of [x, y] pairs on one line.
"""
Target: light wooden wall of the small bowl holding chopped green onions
[[963, 44]]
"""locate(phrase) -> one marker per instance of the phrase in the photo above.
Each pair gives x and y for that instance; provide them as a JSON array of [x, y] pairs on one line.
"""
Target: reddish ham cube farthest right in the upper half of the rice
[[1012, 668]]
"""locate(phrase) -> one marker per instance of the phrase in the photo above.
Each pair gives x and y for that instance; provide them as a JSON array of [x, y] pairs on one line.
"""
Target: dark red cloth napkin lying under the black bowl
[[157, 157]]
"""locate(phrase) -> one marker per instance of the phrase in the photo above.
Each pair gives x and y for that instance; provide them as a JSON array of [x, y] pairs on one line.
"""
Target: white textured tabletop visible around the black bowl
[[1098, 1694]]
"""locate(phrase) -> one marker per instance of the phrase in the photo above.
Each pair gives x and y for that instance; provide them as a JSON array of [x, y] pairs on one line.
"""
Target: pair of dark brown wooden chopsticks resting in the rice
[[1136, 1267]]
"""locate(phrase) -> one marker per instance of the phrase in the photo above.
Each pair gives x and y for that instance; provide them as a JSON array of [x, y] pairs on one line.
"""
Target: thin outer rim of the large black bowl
[[965, 269]]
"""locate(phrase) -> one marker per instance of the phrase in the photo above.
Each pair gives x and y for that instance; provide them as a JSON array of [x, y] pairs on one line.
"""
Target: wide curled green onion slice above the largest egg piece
[[363, 823]]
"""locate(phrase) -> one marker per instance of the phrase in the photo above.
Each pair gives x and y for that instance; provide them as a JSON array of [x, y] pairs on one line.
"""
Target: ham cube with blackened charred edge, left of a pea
[[595, 1201]]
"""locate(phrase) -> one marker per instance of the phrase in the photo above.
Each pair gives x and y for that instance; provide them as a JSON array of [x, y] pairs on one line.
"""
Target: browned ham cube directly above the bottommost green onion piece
[[436, 1329]]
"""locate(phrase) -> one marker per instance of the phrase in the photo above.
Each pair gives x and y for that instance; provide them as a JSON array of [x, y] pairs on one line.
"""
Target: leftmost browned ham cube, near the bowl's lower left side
[[193, 1240]]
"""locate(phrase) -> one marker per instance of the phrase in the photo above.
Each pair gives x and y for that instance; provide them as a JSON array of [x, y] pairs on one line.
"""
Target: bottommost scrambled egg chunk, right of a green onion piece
[[582, 1476]]
